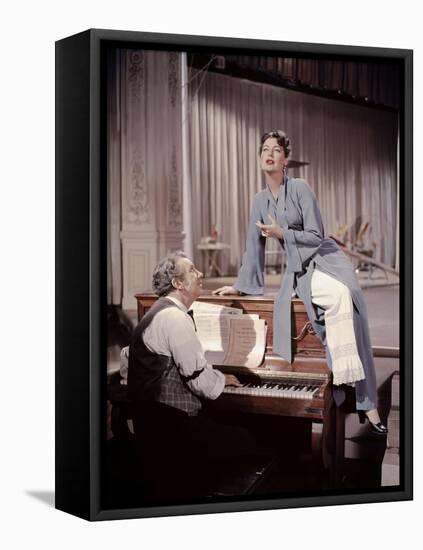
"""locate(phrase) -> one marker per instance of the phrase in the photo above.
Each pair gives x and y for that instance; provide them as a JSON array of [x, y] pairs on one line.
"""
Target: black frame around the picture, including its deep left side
[[81, 269]]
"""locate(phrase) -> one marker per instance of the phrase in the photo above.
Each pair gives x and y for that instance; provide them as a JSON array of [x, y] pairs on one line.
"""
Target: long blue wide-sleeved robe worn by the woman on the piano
[[297, 212]]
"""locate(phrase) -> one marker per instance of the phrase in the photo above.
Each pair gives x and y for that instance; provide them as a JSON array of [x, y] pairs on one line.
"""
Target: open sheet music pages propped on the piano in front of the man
[[230, 337]]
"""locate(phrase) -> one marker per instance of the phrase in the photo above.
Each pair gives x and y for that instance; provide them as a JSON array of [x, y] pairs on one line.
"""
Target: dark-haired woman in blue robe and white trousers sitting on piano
[[317, 271]]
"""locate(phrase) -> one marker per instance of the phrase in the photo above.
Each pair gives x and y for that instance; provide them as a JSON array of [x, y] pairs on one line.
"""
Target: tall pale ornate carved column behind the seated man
[[151, 166]]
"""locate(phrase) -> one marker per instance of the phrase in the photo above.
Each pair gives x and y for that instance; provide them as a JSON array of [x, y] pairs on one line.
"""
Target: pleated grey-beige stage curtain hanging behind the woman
[[351, 151]]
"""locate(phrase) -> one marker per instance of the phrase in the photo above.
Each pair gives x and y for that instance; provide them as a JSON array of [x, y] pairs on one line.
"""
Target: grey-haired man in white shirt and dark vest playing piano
[[168, 377]]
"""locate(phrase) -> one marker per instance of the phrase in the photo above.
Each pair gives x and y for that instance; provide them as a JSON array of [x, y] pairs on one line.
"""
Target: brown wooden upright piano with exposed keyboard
[[299, 389]]
